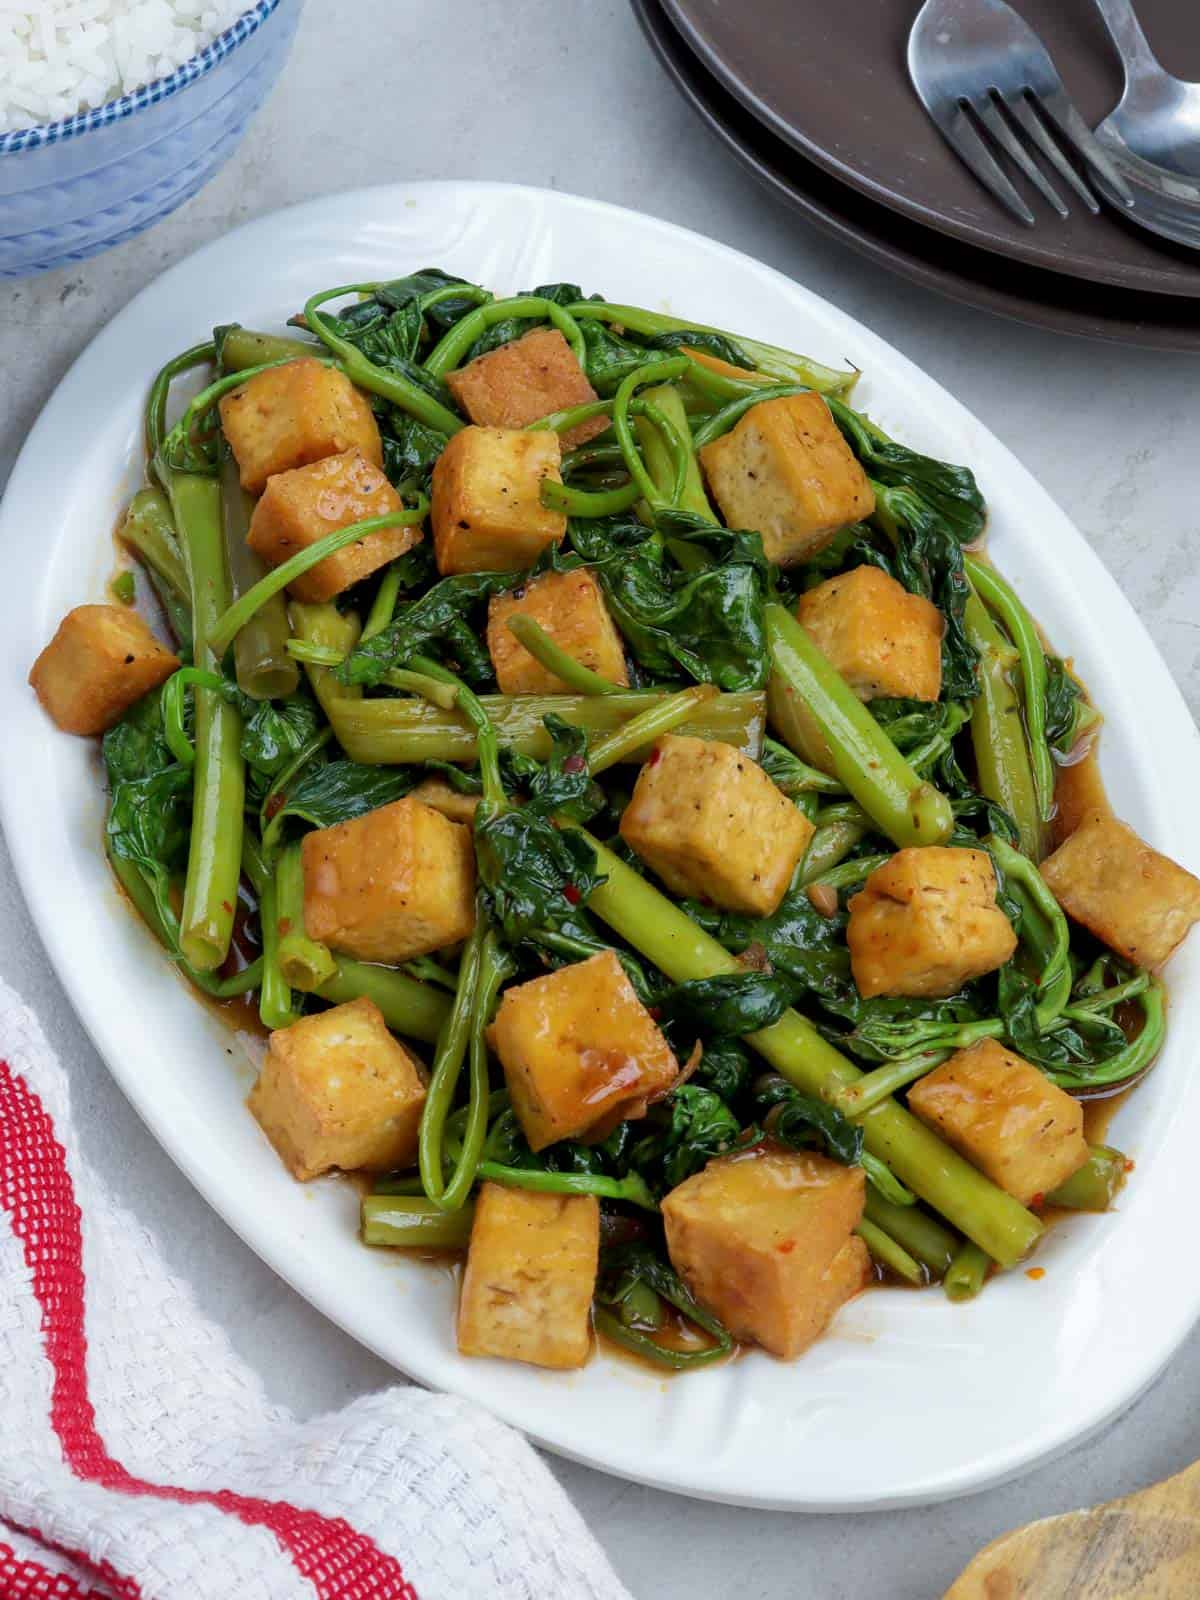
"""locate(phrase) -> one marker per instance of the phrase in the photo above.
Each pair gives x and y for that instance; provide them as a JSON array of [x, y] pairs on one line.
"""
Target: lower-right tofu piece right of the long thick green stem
[[1006, 1118]]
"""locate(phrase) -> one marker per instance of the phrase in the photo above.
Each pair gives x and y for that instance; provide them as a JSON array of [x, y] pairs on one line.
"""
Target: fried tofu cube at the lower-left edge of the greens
[[338, 1090]]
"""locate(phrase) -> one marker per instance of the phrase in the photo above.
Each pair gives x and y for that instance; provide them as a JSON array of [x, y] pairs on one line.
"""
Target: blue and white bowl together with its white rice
[[113, 113]]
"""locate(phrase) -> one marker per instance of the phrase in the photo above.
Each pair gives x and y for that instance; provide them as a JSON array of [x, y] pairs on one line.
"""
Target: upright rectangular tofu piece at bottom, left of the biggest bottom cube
[[530, 1278]]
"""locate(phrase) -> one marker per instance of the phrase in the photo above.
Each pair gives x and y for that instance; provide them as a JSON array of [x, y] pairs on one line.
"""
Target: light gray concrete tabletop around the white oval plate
[[567, 95]]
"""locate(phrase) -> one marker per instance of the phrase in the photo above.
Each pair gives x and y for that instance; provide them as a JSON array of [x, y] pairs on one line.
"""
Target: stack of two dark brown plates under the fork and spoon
[[815, 100]]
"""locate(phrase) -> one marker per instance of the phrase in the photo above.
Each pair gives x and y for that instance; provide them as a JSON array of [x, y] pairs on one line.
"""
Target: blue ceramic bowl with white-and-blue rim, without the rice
[[74, 188]]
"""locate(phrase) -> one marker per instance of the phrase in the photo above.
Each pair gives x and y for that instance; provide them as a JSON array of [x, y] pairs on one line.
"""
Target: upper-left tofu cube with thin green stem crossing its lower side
[[302, 506]]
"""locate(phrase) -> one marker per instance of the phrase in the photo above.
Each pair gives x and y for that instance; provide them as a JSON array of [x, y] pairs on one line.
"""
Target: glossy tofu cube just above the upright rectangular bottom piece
[[580, 1052]]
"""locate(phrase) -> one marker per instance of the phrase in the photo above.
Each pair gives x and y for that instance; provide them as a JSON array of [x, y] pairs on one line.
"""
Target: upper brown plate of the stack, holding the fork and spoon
[[831, 82]]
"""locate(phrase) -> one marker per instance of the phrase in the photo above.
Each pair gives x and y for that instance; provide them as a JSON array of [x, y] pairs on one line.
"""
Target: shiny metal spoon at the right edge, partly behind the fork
[[1153, 135]]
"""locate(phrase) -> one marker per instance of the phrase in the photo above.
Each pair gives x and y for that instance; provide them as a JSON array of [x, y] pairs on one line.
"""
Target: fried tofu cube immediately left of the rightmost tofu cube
[[927, 922]]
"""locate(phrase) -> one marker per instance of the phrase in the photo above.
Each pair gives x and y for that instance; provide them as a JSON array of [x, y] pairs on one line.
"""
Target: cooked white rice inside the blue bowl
[[63, 57]]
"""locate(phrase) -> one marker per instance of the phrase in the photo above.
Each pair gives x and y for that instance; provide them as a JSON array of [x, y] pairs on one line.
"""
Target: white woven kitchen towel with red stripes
[[142, 1460]]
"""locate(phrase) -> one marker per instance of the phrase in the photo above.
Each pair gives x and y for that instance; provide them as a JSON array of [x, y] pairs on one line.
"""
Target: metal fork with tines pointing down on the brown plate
[[990, 84]]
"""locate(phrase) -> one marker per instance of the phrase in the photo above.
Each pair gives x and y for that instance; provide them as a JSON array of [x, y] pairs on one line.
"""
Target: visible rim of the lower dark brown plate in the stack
[[964, 274]]
